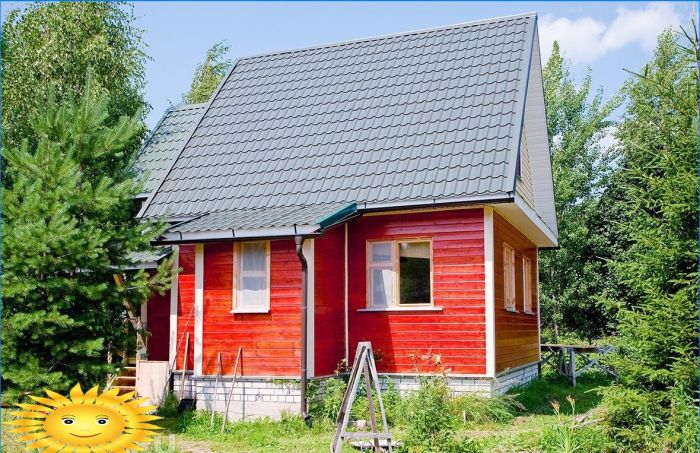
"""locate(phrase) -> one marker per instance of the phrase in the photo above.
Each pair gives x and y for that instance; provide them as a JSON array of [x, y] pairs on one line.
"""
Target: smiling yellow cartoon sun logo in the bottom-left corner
[[86, 422]]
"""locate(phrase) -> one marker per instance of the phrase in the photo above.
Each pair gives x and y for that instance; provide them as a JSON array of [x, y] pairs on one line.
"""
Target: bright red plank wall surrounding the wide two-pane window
[[456, 334]]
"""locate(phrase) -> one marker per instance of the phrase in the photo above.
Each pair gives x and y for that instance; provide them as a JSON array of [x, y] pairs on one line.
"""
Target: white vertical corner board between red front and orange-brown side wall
[[489, 293]]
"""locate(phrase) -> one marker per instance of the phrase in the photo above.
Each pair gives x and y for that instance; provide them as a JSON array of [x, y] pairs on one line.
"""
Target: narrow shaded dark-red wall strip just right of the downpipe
[[329, 303]]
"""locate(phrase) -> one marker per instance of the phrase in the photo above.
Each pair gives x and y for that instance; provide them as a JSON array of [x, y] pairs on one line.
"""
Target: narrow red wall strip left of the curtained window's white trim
[[185, 314]]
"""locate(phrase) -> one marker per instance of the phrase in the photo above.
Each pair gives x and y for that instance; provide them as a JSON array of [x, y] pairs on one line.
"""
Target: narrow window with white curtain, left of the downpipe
[[252, 277]]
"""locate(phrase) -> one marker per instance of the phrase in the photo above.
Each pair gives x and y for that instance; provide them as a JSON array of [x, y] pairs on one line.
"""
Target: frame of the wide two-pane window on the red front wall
[[369, 265]]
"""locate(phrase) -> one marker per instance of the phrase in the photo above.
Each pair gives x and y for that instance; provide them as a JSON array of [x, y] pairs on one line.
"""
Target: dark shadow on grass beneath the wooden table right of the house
[[538, 396]]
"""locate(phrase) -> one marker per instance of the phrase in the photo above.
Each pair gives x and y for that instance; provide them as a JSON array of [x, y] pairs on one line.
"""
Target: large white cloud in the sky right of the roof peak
[[586, 39]]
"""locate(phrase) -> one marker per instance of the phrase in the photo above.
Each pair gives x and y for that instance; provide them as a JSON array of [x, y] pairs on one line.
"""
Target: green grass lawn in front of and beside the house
[[522, 431]]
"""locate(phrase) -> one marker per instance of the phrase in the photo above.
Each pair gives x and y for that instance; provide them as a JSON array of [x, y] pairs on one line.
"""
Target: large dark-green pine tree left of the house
[[68, 227]]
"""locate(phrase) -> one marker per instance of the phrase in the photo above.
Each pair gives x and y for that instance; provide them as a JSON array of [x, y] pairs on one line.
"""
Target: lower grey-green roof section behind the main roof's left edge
[[161, 148]]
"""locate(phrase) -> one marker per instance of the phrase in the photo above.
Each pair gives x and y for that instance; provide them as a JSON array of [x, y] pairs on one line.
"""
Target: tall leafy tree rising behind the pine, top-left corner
[[54, 44]]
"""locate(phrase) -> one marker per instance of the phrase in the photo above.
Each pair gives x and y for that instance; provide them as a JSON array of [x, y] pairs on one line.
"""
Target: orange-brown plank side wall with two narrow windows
[[517, 333]]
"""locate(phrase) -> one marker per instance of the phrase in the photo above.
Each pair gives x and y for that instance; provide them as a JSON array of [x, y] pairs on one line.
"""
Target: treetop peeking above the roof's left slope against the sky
[[209, 74]]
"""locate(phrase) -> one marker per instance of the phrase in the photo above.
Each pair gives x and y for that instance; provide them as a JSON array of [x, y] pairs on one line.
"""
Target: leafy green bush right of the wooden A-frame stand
[[430, 422]]
